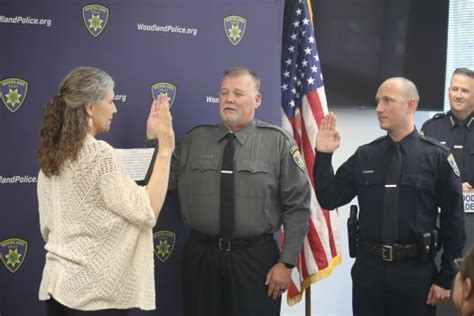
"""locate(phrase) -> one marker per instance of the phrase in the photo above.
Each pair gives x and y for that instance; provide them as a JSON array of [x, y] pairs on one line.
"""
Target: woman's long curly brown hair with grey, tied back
[[65, 123]]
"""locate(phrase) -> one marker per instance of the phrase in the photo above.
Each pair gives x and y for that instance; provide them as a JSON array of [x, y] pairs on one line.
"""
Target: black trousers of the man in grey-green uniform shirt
[[217, 282]]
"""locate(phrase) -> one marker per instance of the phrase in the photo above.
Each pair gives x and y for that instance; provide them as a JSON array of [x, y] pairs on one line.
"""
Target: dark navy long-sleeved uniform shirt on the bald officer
[[427, 181]]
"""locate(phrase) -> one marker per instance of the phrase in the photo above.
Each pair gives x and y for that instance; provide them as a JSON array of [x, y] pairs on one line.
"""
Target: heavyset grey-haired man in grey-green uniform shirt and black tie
[[231, 263]]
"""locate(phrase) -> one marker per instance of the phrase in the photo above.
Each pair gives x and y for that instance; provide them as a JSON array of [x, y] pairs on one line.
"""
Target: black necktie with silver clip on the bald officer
[[391, 197]]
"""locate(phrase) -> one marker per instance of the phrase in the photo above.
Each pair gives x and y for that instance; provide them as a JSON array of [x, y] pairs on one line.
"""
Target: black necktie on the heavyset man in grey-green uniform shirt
[[227, 189]]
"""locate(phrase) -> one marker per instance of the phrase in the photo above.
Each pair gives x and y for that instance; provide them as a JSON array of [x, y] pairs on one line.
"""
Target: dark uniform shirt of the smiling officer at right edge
[[446, 128]]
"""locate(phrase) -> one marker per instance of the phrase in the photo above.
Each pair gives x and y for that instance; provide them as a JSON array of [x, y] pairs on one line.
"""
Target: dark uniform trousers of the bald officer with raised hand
[[392, 288]]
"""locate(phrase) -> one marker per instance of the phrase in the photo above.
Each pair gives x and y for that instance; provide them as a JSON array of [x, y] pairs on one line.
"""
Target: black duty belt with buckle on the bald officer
[[395, 252]]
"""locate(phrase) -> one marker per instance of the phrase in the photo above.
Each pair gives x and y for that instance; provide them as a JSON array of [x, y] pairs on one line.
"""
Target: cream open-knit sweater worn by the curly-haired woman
[[97, 225]]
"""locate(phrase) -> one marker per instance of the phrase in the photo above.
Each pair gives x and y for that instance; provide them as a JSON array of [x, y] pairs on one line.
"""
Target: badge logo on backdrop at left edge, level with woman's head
[[13, 93]]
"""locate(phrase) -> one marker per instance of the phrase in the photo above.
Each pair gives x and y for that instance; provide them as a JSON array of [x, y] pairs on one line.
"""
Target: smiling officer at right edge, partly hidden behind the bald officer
[[455, 128]]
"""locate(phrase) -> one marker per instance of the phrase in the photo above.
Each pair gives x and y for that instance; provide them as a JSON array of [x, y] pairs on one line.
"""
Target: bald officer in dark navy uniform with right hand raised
[[394, 272]]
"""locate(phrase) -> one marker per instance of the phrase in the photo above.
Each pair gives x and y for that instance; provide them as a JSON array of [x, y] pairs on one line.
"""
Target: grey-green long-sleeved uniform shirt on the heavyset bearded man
[[270, 182]]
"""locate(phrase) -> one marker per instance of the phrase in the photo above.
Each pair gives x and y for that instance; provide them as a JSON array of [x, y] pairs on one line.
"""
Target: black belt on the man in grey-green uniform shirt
[[229, 245]]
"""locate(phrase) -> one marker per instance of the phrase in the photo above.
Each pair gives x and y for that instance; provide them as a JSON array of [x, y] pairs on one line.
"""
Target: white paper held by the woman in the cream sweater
[[135, 161]]
